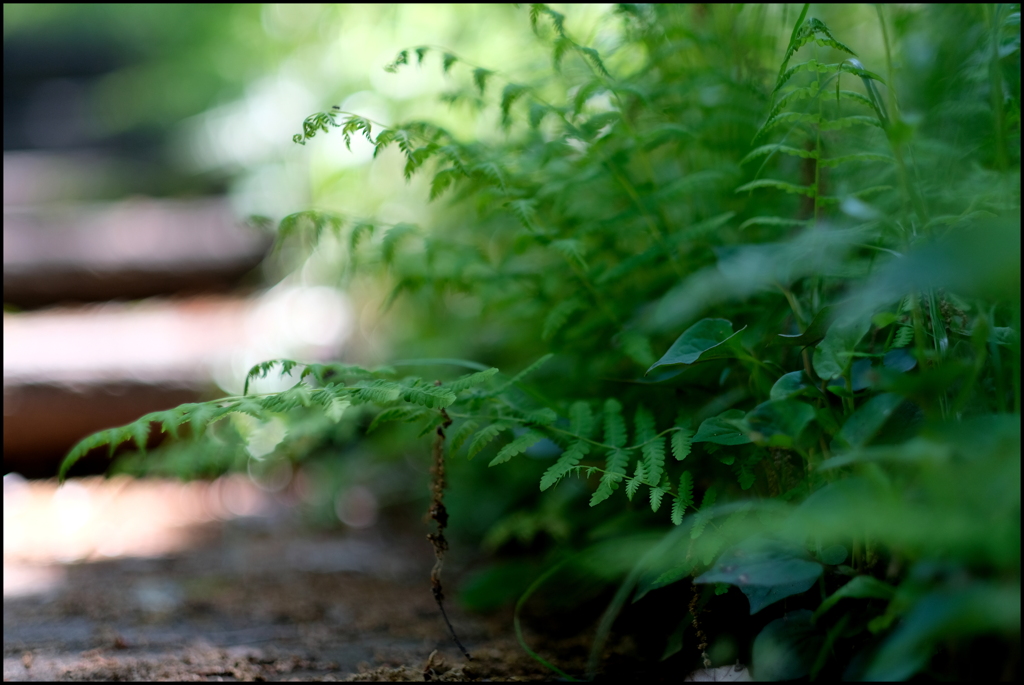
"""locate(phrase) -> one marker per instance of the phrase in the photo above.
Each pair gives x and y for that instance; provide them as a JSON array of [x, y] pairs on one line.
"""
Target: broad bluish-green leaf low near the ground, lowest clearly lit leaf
[[765, 570]]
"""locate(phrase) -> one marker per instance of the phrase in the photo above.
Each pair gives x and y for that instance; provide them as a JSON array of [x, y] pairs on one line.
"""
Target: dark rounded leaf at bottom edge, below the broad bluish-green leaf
[[787, 649]]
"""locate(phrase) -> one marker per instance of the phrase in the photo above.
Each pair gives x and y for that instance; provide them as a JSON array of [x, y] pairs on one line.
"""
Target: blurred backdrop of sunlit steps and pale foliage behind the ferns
[[140, 143]]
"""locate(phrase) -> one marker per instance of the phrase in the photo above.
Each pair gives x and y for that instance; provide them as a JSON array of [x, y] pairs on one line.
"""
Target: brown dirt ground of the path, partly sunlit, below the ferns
[[248, 598]]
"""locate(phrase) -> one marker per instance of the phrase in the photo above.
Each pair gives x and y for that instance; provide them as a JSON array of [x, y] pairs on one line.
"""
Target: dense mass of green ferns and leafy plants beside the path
[[757, 295]]
